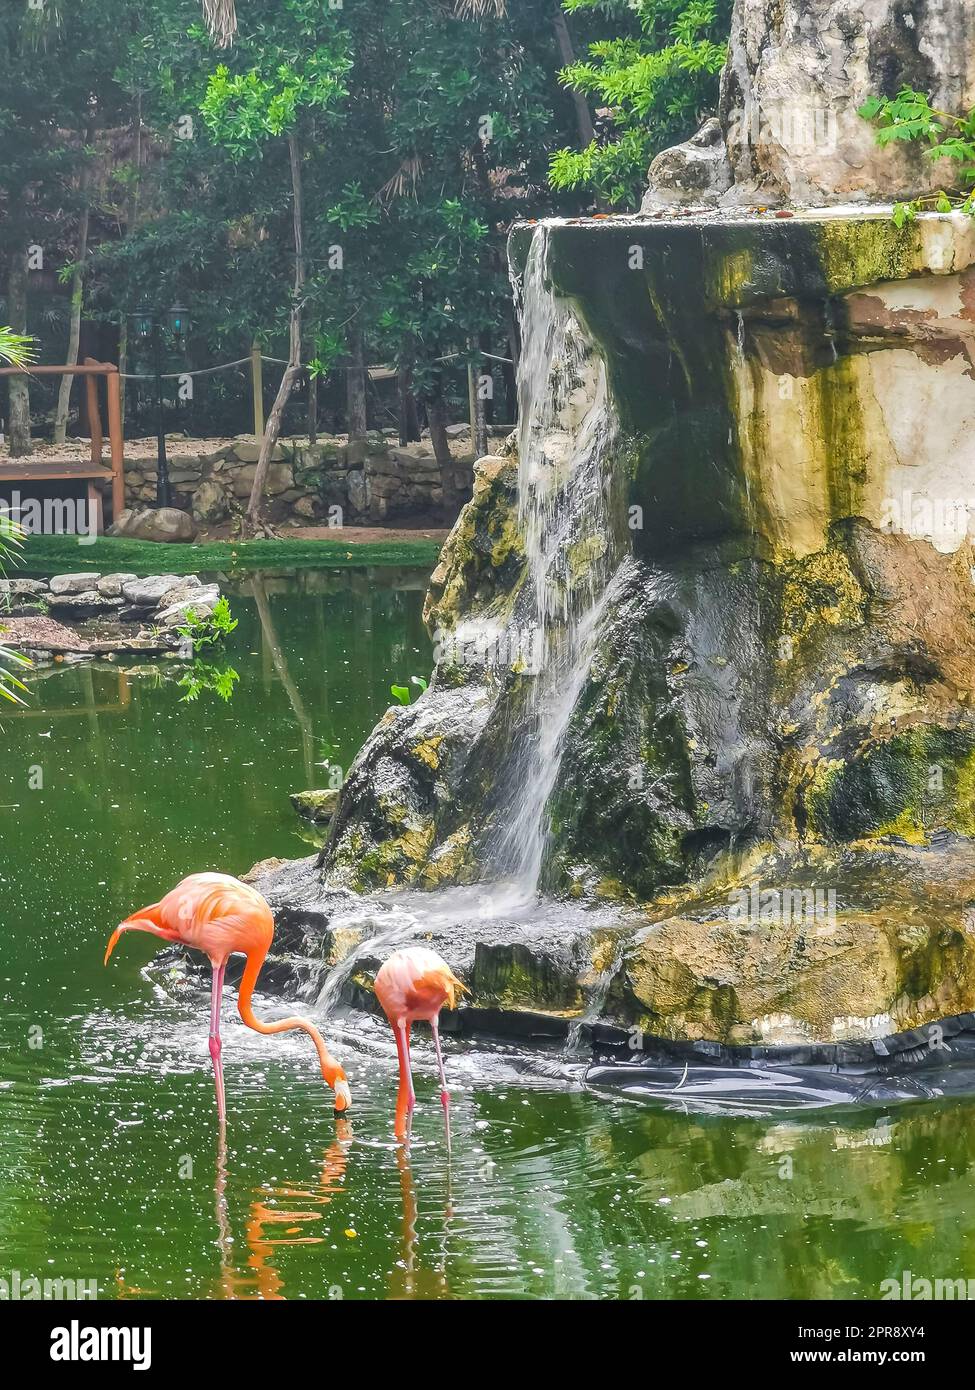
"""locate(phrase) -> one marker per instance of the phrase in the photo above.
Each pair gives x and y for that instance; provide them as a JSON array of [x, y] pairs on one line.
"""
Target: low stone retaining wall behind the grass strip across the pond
[[373, 482]]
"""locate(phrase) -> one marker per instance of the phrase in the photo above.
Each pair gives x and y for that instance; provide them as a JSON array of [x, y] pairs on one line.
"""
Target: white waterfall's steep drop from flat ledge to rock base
[[571, 529]]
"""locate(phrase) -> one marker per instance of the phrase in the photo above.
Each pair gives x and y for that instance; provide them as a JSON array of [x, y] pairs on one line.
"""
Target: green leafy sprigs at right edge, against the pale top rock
[[912, 117]]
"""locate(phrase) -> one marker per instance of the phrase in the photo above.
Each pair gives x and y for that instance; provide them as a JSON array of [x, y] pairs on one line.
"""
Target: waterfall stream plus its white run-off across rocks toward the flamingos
[[567, 516]]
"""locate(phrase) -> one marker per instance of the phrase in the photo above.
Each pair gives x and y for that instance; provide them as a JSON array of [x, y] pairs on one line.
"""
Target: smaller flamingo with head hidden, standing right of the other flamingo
[[417, 985]]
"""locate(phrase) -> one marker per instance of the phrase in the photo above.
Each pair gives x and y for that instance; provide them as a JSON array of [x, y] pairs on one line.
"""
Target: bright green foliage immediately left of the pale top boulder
[[657, 80]]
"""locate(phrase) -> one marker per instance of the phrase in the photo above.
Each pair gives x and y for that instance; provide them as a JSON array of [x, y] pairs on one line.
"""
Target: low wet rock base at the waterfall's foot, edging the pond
[[647, 986]]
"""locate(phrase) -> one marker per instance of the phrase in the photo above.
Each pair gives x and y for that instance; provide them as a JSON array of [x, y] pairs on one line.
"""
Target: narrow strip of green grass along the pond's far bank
[[54, 554]]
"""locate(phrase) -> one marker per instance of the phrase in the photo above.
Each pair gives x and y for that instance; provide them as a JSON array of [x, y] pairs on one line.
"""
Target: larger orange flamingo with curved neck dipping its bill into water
[[222, 917]]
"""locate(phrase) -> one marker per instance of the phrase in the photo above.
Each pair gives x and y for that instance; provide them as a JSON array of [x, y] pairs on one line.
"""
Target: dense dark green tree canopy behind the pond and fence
[[408, 134]]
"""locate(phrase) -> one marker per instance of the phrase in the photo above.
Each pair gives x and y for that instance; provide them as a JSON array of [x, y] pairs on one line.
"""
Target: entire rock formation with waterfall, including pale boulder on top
[[706, 635]]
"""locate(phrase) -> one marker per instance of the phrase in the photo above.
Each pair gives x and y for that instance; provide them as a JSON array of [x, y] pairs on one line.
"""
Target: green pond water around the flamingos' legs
[[111, 1163]]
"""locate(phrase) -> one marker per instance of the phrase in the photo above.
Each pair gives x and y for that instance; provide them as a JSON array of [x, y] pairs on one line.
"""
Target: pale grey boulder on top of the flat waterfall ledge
[[796, 74]]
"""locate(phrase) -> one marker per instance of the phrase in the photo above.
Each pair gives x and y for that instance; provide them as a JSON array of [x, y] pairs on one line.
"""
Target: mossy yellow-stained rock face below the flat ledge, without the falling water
[[780, 704]]
